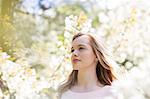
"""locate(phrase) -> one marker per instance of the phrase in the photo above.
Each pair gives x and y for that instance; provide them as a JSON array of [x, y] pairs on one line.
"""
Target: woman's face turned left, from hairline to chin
[[82, 53]]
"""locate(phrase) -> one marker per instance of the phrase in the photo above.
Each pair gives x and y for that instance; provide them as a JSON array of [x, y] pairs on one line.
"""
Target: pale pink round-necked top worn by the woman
[[106, 92]]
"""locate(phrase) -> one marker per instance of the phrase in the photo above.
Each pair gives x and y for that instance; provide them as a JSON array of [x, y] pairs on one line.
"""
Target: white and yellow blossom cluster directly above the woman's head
[[75, 24]]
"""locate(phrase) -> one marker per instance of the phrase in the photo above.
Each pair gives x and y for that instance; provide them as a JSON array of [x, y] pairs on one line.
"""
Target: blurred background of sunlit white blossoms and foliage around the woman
[[35, 44]]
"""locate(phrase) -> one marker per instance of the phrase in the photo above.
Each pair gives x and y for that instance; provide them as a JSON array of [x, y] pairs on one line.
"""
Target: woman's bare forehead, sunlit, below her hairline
[[82, 40]]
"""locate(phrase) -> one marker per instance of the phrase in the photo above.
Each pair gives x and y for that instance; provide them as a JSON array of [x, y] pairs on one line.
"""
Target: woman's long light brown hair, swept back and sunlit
[[104, 70]]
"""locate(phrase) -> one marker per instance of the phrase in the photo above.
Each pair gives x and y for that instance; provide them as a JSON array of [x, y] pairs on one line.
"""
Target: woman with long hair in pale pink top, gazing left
[[92, 74]]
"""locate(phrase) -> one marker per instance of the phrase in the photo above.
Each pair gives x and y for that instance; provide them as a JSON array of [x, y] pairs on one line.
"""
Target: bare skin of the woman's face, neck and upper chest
[[86, 66]]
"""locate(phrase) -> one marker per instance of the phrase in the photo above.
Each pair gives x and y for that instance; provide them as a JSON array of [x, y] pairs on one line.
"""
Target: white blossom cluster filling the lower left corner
[[20, 81]]
